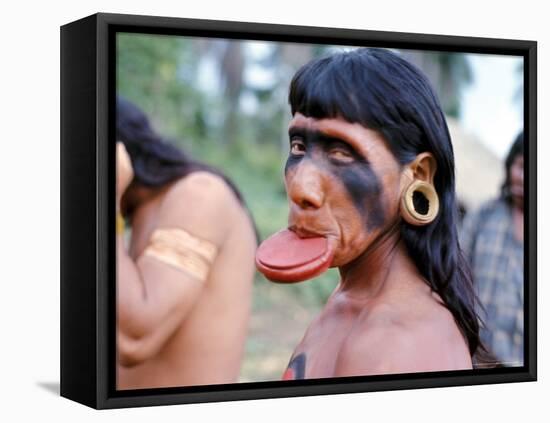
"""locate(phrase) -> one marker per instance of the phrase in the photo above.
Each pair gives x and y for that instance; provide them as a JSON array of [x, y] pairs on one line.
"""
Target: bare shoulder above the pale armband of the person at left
[[203, 204]]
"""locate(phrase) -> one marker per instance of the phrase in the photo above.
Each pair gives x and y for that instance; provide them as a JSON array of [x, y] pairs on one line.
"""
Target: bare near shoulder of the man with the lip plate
[[392, 339]]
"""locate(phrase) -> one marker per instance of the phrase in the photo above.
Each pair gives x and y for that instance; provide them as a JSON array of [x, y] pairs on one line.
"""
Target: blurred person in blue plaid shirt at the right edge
[[492, 240]]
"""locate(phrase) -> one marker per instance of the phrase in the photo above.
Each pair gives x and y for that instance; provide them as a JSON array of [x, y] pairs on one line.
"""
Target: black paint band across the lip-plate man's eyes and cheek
[[357, 176]]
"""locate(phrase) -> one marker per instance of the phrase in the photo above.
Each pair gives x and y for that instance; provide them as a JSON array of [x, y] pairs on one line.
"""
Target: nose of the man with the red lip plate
[[305, 186]]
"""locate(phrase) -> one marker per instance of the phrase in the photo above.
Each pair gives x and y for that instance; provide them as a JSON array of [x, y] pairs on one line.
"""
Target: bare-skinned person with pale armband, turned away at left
[[184, 280]]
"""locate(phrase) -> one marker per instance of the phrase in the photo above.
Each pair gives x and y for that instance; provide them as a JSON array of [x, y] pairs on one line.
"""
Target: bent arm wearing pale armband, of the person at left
[[156, 292]]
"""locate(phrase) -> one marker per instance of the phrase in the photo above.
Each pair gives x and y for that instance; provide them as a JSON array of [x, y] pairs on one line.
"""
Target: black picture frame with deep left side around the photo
[[88, 268]]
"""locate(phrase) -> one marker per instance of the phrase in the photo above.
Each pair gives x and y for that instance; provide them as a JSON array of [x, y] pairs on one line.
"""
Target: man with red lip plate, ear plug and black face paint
[[370, 184]]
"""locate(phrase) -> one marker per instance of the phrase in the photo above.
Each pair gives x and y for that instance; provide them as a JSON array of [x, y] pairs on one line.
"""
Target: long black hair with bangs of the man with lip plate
[[381, 91]]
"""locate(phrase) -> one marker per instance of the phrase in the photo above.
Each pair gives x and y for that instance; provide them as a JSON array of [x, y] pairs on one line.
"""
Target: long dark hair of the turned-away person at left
[[156, 162]]
